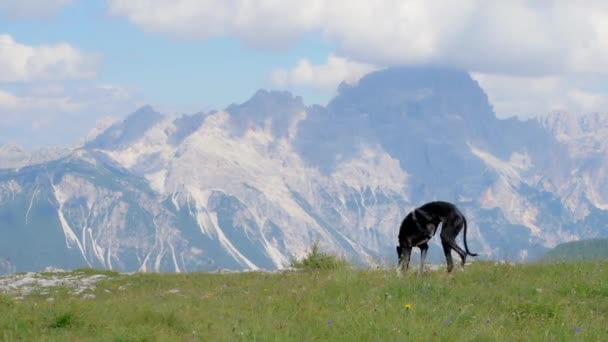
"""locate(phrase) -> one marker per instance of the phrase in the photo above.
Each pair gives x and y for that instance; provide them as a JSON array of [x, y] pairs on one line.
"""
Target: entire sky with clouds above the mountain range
[[67, 65]]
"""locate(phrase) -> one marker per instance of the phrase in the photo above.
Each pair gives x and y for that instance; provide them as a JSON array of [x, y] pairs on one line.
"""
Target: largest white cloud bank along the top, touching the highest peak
[[510, 37]]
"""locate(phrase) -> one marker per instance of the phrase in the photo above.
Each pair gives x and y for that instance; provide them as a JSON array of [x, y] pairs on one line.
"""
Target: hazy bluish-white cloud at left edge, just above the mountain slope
[[34, 115]]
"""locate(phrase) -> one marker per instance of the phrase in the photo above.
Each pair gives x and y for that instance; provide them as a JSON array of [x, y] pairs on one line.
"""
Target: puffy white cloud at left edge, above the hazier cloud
[[24, 63]]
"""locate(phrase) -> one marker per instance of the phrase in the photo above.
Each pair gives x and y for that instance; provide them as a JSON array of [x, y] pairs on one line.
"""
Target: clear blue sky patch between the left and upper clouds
[[171, 72]]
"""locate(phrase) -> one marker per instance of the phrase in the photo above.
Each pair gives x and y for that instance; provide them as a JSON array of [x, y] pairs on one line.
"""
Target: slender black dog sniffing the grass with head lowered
[[420, 225]]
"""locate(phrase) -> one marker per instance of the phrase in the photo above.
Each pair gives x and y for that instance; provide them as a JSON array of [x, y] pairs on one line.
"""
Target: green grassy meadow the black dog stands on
[[486, 302]]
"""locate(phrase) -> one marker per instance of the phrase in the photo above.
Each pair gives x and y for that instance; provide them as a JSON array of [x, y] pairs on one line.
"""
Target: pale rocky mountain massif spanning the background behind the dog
[[255, 185]]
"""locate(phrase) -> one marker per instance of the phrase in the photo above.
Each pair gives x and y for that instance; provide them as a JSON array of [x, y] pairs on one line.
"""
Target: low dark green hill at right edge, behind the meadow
[[593, 249]]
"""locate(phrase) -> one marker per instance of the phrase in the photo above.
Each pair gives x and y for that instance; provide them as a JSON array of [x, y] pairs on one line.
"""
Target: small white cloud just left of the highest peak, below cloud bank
[[325, 76]]
